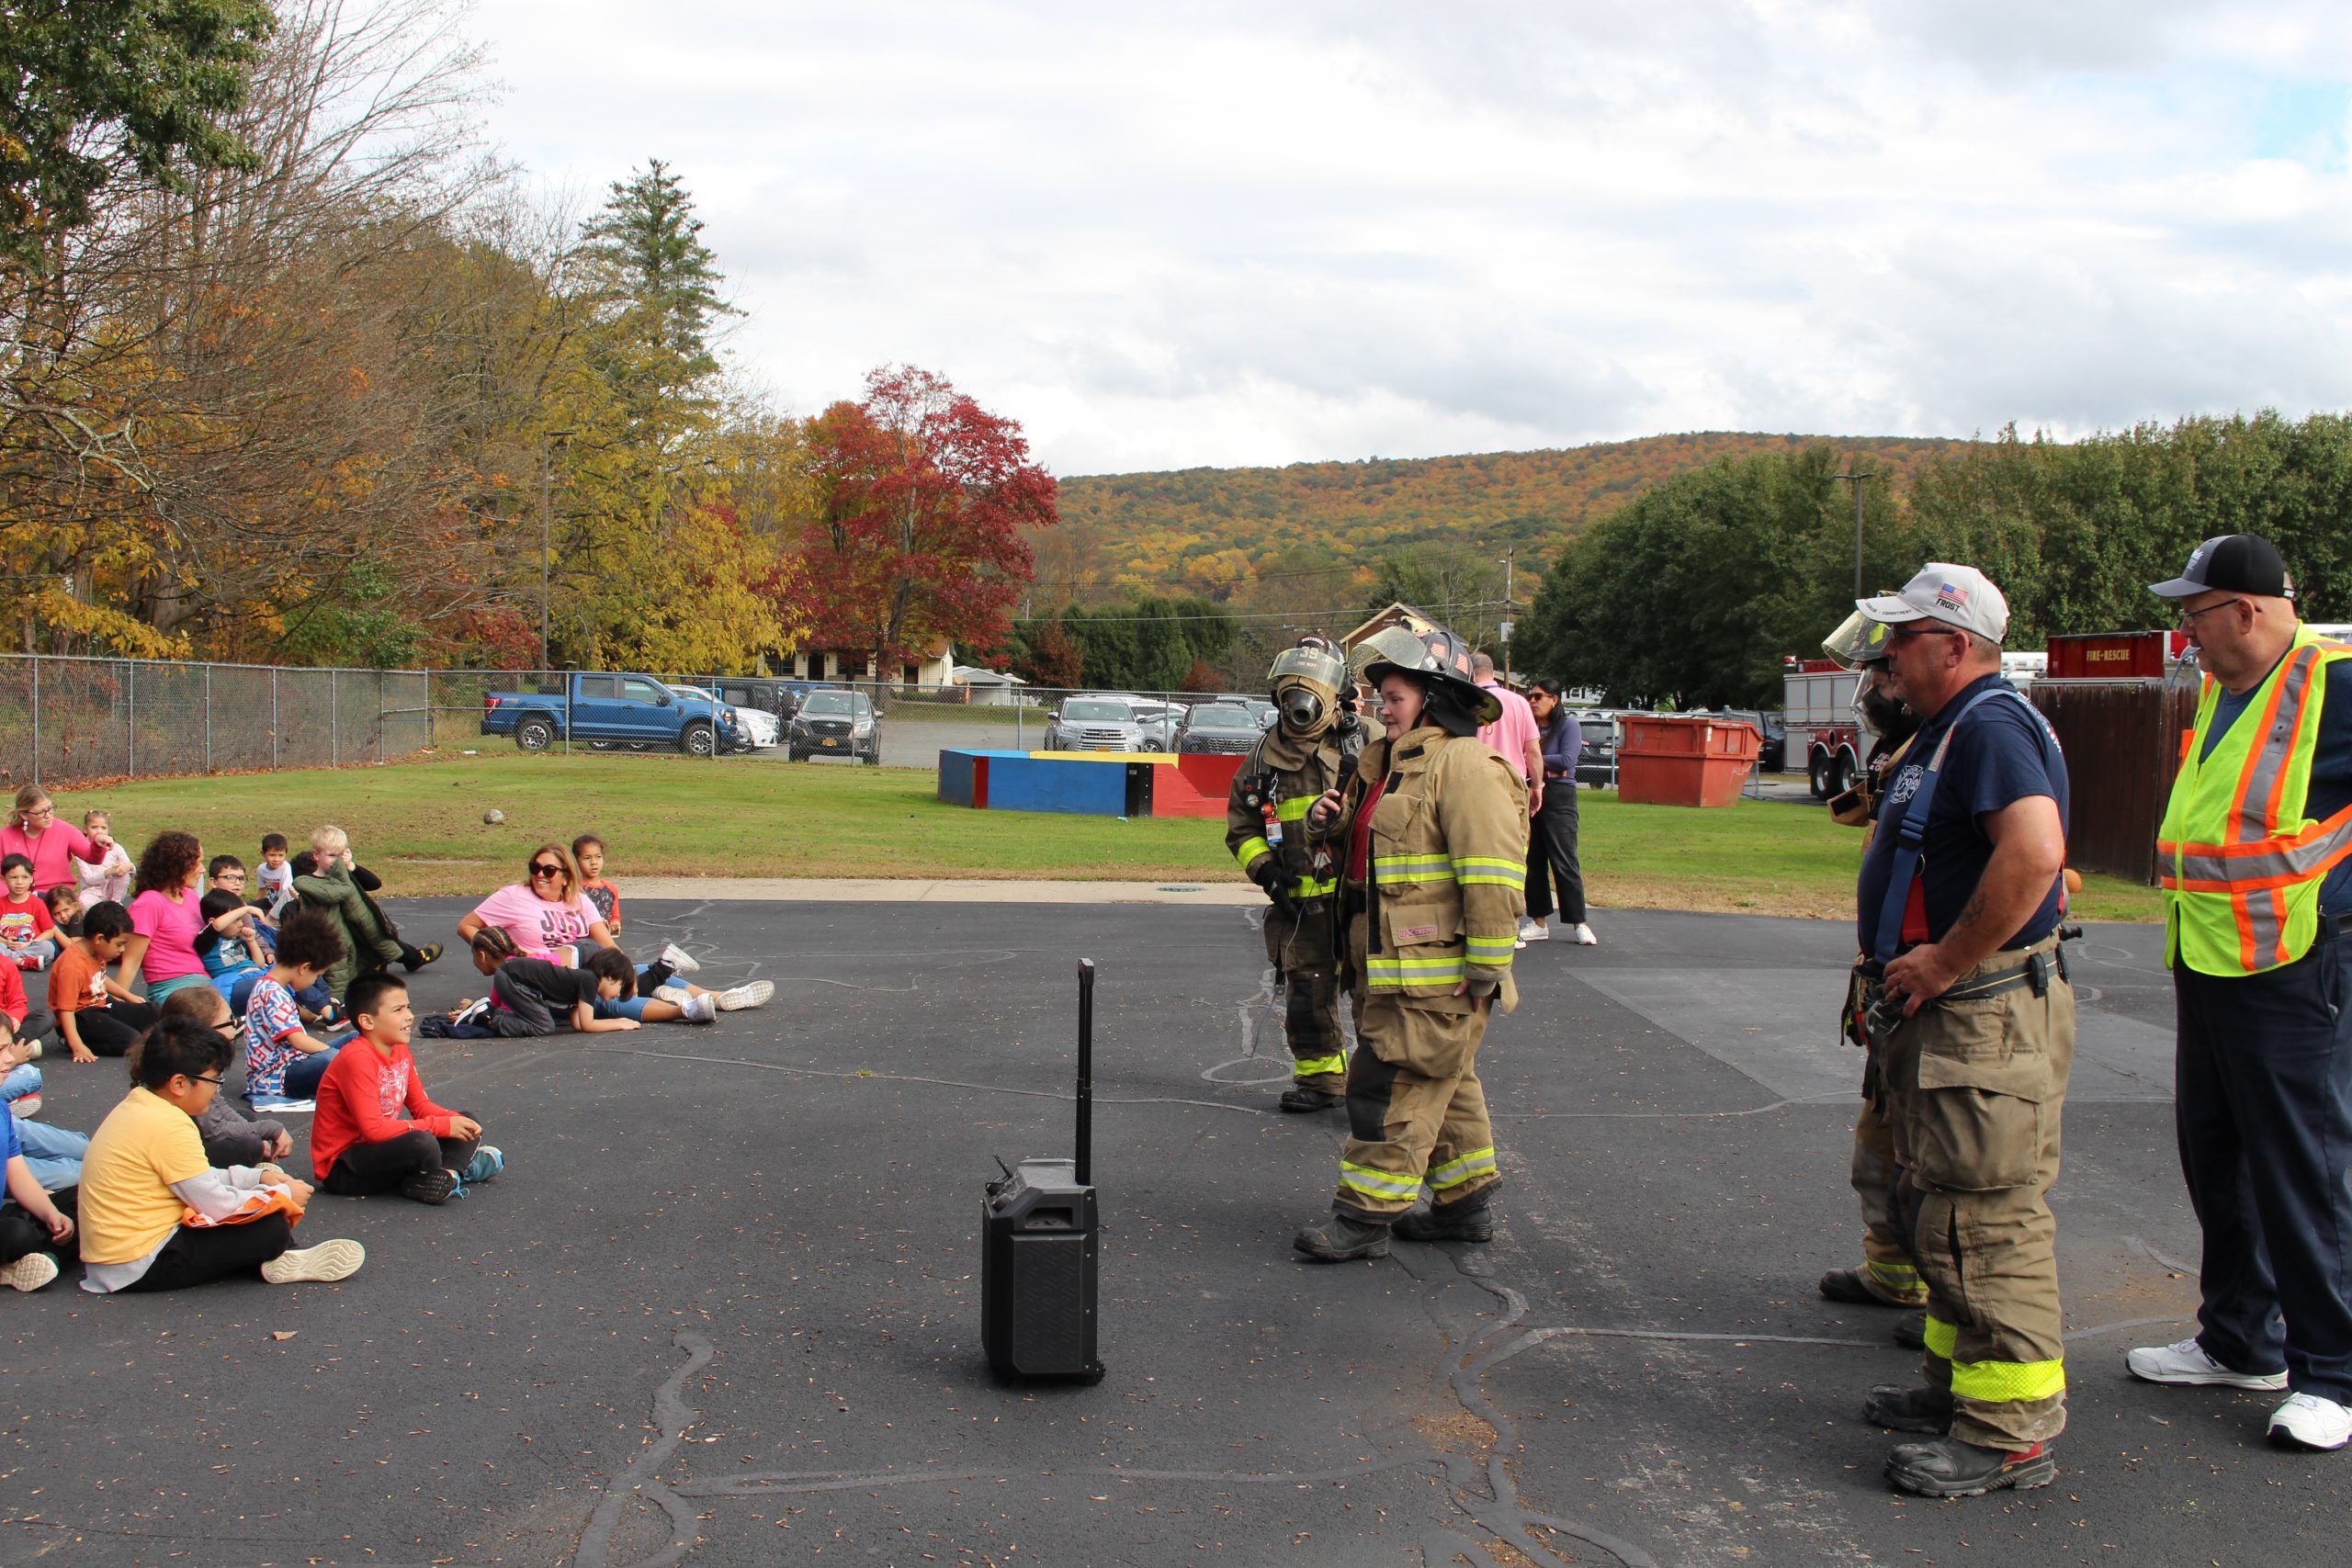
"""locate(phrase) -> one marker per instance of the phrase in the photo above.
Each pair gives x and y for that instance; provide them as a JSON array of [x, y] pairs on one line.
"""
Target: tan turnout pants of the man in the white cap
[[1975, 1104]]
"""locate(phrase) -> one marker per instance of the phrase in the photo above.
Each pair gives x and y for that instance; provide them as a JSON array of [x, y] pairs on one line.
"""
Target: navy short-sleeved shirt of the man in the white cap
[[1996, 763]]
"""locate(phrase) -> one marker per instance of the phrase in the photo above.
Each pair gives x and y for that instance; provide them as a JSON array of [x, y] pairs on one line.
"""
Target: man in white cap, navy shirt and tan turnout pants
[[1975, 1031]]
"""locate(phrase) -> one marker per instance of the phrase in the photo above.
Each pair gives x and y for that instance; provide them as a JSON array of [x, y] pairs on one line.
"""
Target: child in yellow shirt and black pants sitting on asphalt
[[156, 1214]]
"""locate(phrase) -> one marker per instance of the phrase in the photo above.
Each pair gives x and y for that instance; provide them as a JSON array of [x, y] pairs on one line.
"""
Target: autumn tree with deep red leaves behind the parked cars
[[921, 507]]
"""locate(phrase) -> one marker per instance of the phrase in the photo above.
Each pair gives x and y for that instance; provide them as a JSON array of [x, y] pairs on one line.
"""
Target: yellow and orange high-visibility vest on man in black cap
[[2243, 862]]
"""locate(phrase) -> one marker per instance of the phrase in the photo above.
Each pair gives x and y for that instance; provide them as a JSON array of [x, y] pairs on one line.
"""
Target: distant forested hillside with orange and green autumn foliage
[[1222, 530]]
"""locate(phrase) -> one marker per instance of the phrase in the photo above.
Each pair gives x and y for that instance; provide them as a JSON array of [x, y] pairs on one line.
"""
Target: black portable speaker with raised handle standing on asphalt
[[1038, 1247]]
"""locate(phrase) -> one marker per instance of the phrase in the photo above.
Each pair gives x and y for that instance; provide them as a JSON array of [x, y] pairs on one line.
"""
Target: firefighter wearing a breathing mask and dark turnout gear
[[1309, 751]]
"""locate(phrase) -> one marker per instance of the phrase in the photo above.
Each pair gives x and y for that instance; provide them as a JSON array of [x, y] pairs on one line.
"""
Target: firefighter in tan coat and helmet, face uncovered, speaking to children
[[1431, 840]]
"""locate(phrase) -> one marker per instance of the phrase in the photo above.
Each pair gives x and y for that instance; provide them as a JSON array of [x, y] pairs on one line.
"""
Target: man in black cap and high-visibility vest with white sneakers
[[2257, 852]]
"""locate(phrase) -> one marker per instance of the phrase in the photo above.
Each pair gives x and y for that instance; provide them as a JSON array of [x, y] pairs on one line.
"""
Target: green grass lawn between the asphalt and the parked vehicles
[[681, 817]]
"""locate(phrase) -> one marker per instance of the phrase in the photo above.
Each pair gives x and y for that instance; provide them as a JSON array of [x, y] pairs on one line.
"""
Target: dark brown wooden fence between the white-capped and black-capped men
[[2123, 749]]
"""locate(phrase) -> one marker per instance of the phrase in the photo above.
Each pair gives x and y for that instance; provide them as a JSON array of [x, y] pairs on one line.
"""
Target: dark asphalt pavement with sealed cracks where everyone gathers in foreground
[[723, 1308]]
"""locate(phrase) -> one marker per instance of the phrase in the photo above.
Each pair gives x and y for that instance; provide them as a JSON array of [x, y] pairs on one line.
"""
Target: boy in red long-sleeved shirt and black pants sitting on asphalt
[[377, 1130]]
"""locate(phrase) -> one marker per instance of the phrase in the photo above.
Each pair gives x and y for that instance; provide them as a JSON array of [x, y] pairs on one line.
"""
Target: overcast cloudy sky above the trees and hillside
[[1168, 236]]
